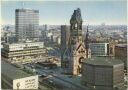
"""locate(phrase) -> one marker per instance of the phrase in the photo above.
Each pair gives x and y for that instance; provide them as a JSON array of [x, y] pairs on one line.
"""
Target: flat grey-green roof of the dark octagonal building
[[103, 61]]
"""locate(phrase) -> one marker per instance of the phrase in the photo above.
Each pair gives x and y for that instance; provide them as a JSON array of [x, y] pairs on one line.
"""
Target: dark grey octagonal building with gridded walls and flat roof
[[101, 73]]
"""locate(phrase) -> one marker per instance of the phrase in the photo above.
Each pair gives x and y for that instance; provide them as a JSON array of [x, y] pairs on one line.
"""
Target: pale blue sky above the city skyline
[[58, 12]]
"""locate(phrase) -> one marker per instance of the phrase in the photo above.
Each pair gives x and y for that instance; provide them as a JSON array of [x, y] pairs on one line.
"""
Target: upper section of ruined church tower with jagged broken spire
[[76, 27]]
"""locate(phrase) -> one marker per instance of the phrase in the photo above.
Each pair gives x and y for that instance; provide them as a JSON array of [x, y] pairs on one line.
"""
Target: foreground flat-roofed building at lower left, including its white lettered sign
[[13, 78]]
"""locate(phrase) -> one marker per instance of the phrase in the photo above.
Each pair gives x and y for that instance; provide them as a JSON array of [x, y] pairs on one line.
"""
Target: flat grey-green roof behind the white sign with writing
[[12, 72]]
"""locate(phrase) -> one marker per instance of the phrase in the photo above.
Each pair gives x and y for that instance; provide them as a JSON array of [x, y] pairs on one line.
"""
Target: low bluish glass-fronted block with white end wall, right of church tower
[[99, 49]]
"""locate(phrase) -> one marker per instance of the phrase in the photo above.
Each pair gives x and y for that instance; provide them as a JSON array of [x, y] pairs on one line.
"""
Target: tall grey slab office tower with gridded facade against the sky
[[27, 21]]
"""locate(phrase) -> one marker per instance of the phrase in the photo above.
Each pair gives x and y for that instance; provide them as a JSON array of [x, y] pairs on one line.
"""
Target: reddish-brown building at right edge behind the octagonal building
[[121, 53]]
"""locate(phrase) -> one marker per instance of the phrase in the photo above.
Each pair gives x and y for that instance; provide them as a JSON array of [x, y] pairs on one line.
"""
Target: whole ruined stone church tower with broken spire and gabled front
[[76, 52]]
